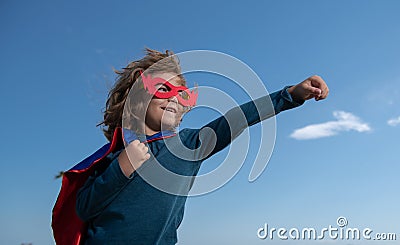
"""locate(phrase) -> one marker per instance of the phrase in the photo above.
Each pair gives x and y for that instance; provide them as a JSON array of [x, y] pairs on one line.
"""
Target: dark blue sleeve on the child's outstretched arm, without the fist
[[216, 135]]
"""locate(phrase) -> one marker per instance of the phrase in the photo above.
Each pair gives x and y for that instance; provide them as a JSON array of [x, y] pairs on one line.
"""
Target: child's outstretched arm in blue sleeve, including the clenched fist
[[226, 128]]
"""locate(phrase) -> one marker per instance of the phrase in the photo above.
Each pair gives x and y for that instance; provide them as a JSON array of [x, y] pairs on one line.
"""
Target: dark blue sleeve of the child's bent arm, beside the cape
[[100, 190]]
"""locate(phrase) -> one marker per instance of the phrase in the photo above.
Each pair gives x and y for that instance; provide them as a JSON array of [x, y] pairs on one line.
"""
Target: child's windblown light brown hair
[[153, 61]]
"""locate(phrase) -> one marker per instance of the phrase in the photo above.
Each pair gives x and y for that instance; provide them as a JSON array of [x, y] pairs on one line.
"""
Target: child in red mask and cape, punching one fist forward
[[128, 199]]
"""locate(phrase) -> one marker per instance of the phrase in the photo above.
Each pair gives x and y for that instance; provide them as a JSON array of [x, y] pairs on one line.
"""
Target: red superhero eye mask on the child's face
[[183, 94]]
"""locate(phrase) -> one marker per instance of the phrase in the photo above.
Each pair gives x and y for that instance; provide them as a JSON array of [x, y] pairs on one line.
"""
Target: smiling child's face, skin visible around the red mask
[[164, 114]]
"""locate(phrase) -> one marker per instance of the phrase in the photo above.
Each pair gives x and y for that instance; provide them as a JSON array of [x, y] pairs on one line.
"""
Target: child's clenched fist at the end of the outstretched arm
[[313, 87]]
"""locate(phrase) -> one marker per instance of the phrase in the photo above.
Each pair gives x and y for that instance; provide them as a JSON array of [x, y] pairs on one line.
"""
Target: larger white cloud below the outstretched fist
[[345, 122]]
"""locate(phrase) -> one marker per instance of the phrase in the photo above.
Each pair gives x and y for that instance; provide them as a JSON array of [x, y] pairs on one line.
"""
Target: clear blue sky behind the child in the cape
[[56, 68]]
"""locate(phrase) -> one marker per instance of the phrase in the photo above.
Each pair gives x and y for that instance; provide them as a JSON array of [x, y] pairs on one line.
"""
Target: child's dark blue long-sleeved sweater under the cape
[[121, 210]]
